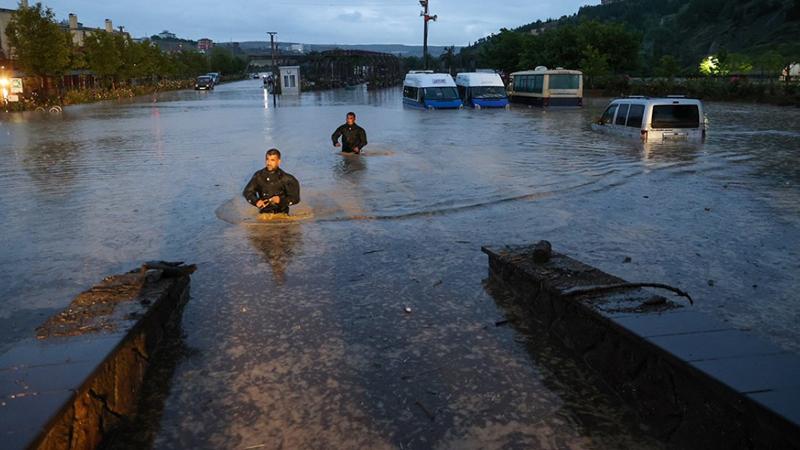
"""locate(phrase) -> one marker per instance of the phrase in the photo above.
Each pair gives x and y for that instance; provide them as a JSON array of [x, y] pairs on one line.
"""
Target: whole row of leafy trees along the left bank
[[45, 50]]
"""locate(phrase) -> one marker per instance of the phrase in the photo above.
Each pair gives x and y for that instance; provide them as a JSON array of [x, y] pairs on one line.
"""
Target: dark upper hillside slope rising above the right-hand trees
[[692, 29]]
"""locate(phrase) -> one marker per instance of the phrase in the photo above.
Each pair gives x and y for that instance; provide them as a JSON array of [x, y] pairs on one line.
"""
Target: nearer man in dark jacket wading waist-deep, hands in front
[[272, 190]]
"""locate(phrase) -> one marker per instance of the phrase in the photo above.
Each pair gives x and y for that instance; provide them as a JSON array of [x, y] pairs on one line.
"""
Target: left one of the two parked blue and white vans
[[425, 89]]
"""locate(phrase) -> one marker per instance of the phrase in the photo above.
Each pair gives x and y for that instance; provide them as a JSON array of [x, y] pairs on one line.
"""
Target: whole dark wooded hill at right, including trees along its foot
[[664, 38]]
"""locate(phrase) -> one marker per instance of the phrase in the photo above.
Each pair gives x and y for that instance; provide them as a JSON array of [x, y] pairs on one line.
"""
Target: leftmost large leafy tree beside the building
[[41, 47]]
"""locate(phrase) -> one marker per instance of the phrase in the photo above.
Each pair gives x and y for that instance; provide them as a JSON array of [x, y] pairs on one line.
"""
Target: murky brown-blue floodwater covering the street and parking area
[[297, 333]]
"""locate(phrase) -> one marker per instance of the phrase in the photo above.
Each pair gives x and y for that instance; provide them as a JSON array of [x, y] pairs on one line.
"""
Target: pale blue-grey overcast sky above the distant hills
[[314, 21]]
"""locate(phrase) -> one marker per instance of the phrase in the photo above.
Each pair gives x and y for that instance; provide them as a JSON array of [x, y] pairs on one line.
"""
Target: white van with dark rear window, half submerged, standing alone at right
[[654, 119]]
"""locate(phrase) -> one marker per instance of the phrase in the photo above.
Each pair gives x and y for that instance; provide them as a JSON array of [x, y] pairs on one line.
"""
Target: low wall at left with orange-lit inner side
[[73, 385]]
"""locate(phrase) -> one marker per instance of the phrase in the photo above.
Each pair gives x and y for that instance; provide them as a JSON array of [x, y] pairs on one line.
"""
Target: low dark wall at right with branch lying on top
[[696, 381]]
